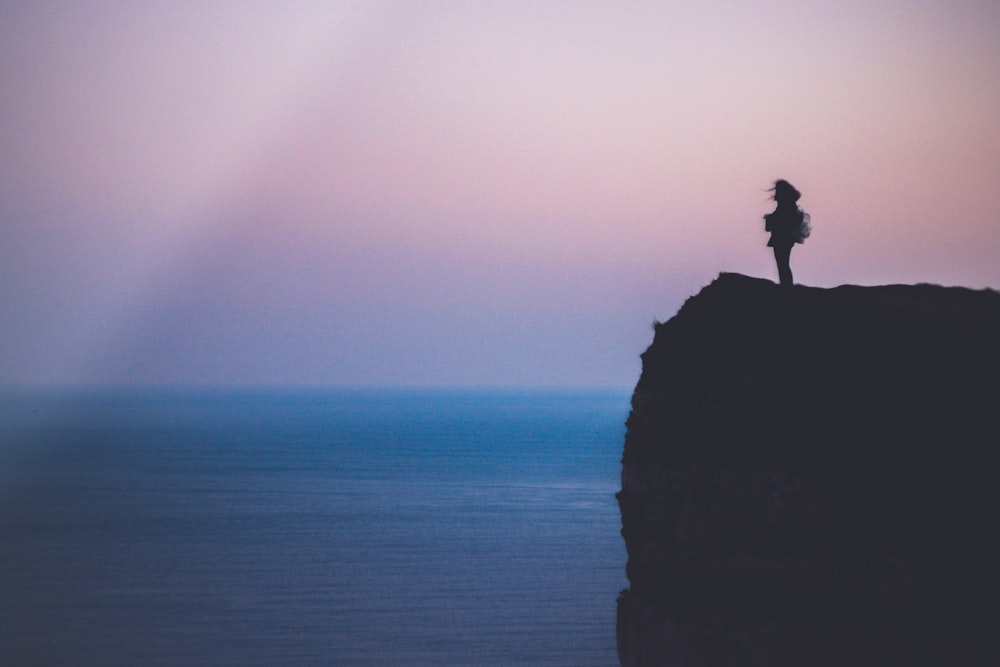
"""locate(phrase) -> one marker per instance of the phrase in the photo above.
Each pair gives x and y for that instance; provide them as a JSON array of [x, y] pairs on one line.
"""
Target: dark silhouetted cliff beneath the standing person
[[810, 477]]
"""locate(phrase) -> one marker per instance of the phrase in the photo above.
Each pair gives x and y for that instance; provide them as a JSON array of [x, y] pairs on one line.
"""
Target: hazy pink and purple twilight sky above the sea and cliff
[[446, 193]]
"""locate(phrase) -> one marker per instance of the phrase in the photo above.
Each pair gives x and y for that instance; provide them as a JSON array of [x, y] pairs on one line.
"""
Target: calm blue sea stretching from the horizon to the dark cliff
[[371, 527]]
